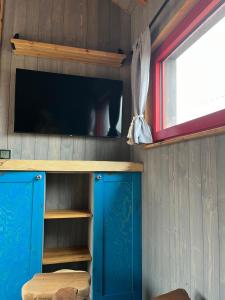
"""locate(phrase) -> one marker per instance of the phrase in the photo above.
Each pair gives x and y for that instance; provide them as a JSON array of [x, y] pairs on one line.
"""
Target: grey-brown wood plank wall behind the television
[[71, 22]]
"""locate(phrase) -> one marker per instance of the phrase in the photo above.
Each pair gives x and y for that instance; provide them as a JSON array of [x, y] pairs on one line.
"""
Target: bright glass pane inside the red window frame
[[193, 77]]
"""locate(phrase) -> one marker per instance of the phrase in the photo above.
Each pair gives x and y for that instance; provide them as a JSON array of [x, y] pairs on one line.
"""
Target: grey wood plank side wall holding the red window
[[183, 208]]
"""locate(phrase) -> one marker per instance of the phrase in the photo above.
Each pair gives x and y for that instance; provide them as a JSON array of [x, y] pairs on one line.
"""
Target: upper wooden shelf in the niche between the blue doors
[[66, 214]]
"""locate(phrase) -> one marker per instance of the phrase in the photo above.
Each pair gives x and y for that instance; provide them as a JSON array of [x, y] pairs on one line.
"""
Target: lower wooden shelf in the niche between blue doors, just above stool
[[65, 255]]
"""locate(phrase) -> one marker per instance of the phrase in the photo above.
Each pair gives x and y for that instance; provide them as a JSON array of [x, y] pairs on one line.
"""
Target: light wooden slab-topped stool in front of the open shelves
[[60, 285]]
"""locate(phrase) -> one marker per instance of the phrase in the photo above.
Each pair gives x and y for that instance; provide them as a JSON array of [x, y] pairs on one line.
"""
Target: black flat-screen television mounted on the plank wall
[[51, 103]]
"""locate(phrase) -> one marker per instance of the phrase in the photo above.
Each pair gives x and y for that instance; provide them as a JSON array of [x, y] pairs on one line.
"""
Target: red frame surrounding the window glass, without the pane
[[201, 11]]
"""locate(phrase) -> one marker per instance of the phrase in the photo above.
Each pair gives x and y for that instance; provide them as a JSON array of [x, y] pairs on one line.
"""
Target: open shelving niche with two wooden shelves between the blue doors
[[68, 219]]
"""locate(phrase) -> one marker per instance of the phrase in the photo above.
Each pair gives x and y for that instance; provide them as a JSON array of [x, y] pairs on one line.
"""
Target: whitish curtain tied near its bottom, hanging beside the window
[[139, 131]]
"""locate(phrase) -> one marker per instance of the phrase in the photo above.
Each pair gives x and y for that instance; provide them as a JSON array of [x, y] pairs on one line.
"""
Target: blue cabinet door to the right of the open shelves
[[117, 237]]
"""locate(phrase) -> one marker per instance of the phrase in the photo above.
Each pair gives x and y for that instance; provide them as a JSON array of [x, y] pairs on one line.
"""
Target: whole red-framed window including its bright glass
[[189, 74]]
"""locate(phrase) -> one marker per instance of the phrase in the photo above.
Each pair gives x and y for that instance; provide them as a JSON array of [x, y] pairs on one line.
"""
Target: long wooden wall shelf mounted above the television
[[54, 51]]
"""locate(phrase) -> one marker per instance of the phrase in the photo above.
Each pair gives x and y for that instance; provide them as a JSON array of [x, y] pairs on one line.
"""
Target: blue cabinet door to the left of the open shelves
[[21, 230]]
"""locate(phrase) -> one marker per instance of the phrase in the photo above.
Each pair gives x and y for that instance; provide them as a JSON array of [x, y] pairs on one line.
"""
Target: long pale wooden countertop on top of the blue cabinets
[[69, 166]]
